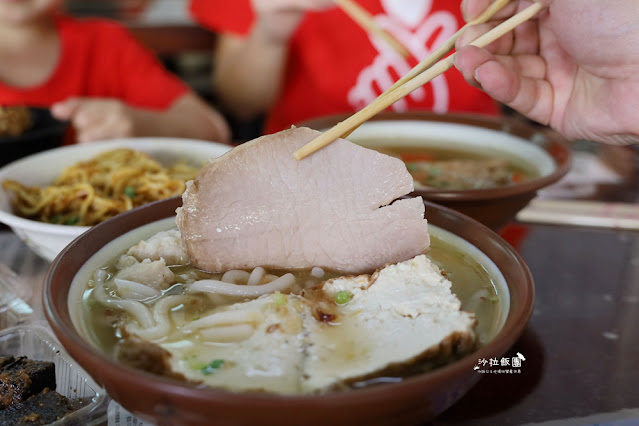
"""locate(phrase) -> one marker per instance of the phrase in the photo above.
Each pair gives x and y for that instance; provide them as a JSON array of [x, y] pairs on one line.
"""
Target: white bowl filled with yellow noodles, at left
[[123, 174]]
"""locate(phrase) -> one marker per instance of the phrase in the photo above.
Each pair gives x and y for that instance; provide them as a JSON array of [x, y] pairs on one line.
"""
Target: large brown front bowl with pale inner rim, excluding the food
[[412, 399]]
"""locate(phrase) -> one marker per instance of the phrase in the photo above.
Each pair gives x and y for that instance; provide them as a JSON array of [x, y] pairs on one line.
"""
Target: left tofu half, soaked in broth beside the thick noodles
[[269, 359]]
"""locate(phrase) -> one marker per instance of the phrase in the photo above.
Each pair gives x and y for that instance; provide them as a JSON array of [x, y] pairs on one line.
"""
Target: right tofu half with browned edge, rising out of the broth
[[403, 314]]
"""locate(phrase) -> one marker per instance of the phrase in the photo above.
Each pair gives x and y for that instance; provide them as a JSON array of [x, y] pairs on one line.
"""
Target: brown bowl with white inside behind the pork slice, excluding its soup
[[536, 148]]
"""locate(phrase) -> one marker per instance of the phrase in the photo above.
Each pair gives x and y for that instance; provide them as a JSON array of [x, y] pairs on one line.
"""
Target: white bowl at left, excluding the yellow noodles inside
[[41, 169]]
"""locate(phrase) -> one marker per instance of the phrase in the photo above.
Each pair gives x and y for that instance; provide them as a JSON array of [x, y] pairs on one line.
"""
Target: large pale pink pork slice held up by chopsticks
[[258, 206]]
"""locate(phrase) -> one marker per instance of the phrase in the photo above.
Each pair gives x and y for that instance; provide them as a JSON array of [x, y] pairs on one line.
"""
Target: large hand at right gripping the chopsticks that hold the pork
[[574, 67]]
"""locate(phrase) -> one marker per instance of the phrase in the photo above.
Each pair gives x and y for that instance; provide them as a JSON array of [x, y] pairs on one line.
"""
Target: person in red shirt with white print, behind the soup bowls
[[302, 59]]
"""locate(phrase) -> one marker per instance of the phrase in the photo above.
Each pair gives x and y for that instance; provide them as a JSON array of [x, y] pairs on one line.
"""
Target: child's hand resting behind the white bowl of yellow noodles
[[96, 119]]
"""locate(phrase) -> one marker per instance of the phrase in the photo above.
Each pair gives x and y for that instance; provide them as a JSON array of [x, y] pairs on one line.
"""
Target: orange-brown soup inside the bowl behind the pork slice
[[459, 169]]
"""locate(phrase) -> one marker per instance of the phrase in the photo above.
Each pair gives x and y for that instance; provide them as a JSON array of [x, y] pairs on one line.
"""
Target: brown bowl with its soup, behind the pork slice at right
[[484, 167]]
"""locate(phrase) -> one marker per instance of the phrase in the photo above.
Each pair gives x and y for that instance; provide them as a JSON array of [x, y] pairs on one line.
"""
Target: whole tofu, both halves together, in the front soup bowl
[[308, 344]]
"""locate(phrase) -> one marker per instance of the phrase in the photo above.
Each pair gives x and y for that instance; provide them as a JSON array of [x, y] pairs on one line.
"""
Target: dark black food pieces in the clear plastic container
[[27, 392]]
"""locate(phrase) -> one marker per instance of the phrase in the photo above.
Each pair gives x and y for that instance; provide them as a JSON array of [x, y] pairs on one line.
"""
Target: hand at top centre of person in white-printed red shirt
[[278, 19]]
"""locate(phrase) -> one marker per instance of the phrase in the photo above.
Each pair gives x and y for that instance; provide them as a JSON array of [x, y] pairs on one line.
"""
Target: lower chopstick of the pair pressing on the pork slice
[[383, 102]]
